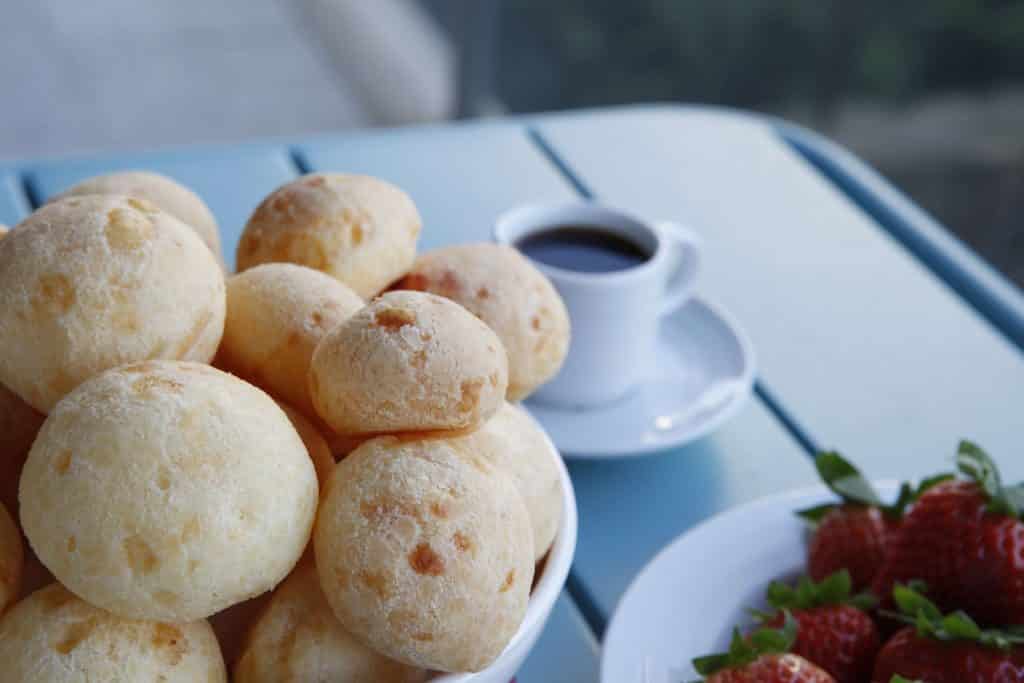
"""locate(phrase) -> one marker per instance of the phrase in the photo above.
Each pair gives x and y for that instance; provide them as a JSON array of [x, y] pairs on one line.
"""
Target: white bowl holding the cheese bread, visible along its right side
[[542, 601]]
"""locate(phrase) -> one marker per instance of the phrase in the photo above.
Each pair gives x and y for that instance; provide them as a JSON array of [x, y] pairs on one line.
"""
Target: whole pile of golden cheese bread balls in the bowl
[[307, 472]]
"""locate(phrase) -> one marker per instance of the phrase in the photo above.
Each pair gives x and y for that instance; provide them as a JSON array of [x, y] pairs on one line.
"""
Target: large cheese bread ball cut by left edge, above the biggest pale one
[[92, 283]]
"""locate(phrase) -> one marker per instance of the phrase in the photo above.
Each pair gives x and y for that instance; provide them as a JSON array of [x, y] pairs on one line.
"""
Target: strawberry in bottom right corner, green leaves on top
[[949, 649]]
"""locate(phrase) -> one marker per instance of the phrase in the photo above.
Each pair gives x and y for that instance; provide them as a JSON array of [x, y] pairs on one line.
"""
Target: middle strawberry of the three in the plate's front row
[[833, 630]]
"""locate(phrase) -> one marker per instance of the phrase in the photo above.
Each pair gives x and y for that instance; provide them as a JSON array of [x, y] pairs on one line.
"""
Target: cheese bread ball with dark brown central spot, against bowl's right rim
[[425, 552]]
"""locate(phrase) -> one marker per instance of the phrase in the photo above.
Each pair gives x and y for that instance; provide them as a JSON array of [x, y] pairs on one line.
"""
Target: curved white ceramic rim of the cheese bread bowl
[[557, 571]]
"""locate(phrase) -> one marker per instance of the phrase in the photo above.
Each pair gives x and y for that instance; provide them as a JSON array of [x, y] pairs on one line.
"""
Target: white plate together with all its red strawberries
[[850, 582]]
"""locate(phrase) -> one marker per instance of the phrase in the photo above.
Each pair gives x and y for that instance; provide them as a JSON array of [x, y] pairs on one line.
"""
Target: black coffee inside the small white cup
[[583, 248]]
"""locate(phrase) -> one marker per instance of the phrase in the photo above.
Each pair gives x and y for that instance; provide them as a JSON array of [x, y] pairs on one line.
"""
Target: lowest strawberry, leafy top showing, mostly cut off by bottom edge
[[762, 658]]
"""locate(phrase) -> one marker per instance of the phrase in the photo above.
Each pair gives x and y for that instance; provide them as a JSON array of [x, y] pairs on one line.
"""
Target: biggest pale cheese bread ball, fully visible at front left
[[168, 491]]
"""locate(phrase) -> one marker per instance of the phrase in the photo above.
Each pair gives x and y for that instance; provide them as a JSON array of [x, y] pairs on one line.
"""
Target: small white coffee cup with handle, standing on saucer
[[615, 315]]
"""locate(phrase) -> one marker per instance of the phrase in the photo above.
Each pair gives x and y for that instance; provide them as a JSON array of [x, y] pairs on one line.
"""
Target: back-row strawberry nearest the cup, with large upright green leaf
[[855, 535]]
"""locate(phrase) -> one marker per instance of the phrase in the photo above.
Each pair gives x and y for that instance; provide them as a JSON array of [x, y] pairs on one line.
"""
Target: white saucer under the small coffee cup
[[703, 374]]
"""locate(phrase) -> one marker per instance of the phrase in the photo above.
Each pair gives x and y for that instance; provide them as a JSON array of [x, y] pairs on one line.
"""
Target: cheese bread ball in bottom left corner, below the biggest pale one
[[55, 637]]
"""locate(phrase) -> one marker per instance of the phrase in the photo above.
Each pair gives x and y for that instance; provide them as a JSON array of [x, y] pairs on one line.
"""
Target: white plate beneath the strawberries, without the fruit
[[688, 601]]
